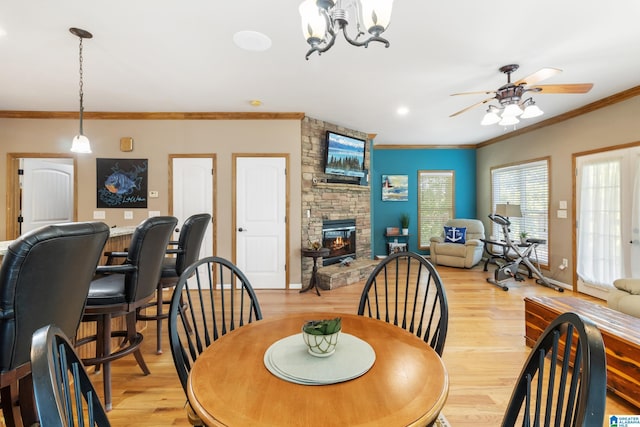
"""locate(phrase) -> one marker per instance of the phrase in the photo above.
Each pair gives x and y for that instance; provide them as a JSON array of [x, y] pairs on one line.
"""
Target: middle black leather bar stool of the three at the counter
[[119, 291]]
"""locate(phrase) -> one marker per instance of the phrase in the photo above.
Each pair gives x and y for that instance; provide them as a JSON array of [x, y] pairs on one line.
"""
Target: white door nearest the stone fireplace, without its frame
[[261, 220]]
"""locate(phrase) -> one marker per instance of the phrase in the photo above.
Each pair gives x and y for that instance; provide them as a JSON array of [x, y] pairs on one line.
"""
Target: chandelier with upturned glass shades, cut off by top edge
[[322, 20]]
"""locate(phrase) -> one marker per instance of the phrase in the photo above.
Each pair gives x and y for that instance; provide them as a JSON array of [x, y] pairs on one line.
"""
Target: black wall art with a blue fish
[[121, 183]]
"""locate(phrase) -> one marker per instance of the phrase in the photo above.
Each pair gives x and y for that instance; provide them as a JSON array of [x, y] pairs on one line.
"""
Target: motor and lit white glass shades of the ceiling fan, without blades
[[511, 106]]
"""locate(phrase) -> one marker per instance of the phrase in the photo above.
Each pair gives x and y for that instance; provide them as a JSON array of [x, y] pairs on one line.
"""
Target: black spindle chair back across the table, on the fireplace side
[[405, 289]]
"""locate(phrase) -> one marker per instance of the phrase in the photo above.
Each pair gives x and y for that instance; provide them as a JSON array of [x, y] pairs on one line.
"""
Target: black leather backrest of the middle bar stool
[[146, 251]]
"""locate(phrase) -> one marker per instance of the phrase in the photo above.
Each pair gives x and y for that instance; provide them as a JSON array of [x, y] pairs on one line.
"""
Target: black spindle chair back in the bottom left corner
[[63, 393]]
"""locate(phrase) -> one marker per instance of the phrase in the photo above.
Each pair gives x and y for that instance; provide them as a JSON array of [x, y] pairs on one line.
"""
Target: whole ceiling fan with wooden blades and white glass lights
[[511, 96]]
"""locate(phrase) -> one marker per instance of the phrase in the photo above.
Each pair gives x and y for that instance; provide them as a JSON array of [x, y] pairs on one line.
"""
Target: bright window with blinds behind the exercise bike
[[527, 185]]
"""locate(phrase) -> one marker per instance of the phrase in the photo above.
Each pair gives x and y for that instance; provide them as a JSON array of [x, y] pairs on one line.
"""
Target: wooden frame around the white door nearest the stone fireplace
[[234, 157]]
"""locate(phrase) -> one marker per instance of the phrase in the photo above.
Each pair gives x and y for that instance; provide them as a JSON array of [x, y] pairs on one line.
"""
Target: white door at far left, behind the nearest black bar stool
[[47, 192]]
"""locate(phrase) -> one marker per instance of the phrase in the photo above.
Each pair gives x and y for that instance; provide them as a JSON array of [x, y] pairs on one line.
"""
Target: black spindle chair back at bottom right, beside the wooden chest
[[564, 380]]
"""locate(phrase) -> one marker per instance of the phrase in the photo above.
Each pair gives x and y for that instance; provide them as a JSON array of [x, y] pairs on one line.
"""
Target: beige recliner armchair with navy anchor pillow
[[461, 246]]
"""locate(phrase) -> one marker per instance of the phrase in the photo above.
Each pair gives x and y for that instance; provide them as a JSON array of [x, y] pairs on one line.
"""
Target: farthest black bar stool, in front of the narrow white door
[[182, 253]]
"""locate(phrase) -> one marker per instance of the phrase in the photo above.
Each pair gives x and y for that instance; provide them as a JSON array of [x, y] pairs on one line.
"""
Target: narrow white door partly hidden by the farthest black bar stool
[[193, 193]]
